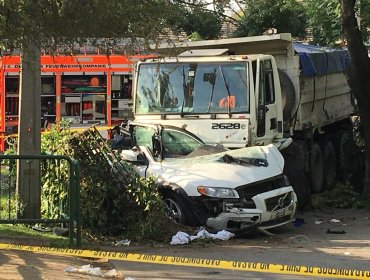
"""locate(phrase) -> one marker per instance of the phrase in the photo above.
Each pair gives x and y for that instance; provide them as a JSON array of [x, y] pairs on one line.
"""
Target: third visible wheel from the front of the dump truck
[[329, 160]]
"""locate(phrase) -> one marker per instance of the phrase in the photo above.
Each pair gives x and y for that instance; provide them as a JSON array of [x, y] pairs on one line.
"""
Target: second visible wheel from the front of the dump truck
[[315, 173]]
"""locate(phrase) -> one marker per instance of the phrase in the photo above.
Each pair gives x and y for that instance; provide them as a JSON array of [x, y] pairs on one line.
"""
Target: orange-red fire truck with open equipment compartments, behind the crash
[[88, 88]]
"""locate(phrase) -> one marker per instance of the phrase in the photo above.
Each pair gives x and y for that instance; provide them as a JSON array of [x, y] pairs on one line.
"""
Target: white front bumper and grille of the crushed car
[[273, 209]]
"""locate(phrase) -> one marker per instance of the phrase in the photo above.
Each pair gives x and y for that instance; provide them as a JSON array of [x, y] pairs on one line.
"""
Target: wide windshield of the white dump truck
[[192, 88]]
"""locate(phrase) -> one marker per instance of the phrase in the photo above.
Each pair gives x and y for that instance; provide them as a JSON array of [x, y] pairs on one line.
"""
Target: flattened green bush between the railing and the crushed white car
[[111, 204]]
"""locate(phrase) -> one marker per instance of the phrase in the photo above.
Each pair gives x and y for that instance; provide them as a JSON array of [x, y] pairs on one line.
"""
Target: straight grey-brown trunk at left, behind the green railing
[[29, 137]]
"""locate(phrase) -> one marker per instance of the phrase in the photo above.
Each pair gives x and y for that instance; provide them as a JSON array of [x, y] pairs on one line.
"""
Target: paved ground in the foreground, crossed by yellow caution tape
[[306, 243]]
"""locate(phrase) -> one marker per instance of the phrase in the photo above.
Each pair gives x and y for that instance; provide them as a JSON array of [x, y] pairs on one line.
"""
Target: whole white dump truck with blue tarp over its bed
[[255, 91]]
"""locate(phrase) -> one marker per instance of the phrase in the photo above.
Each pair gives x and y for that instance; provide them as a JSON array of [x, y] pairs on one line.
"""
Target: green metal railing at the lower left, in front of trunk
[[59, 183]]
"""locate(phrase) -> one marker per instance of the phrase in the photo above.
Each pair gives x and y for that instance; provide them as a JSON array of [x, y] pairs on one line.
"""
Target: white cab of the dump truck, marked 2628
[[232, 100]]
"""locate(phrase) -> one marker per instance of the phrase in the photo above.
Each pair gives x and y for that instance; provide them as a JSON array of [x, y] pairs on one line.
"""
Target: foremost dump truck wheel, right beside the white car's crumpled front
[[299, 182]]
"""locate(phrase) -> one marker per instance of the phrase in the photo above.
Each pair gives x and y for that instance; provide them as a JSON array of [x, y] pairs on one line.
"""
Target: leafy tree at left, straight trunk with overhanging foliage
[[31, 26]]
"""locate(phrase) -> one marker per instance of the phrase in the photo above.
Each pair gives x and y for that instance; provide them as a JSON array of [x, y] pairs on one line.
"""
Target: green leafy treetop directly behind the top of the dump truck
[[259, 16]]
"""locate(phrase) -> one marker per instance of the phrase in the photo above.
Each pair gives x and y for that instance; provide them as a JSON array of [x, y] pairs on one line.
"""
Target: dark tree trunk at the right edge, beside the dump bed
[[358, 75]]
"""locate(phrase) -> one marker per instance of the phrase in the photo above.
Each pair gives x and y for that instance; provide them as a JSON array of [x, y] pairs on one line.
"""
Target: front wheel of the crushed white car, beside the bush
[[176, 209]]
